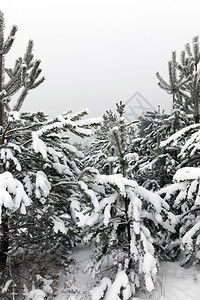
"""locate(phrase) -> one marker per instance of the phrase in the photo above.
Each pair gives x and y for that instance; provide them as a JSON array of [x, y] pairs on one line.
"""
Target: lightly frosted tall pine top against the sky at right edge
[[184, 80]]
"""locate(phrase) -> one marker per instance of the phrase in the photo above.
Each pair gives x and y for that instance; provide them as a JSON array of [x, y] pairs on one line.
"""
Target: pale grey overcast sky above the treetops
[[95, 53]]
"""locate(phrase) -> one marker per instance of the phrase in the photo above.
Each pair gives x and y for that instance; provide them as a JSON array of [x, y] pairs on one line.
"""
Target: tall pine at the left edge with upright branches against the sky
[[22, 77]]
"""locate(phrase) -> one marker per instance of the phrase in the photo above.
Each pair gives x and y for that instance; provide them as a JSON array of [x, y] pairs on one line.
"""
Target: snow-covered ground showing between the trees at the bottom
[[174, 282]]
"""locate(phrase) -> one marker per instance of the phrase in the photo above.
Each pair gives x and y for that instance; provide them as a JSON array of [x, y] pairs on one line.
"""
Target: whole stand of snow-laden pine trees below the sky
[[131, 194]]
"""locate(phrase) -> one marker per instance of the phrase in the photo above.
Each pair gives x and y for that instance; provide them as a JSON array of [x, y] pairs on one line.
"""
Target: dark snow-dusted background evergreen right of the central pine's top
[[156, 165]]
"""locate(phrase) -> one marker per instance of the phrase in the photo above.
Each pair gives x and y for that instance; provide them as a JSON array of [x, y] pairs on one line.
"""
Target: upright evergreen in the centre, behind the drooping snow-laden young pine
[[112, 150]]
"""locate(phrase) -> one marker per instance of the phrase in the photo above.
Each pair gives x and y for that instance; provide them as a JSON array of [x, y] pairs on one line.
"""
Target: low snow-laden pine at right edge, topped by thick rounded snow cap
[[183, 197]]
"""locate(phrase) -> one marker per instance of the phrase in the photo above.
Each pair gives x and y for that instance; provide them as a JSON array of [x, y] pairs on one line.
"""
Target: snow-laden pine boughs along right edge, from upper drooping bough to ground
[[183, 194]]
